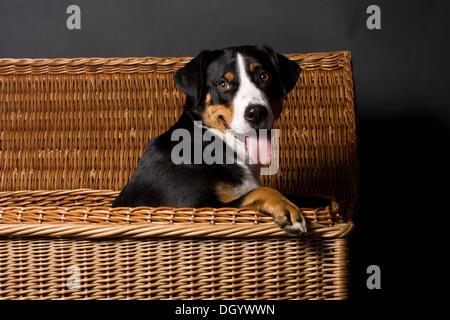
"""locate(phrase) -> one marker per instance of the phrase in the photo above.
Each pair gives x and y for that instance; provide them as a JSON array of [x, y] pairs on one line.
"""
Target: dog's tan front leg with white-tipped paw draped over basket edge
[[286, 214]]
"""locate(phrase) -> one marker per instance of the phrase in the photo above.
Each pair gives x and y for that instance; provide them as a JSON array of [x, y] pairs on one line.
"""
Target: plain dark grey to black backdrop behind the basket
[[401, 84]]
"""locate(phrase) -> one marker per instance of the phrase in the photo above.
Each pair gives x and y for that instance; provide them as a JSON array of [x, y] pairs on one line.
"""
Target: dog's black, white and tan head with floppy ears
[[238, 89]]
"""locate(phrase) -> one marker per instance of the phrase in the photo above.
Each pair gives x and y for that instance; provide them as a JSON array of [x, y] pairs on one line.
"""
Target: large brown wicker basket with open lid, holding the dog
[[71, 134]]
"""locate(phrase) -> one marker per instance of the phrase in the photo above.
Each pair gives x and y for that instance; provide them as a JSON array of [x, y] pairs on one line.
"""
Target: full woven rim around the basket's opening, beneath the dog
[[92, 221]]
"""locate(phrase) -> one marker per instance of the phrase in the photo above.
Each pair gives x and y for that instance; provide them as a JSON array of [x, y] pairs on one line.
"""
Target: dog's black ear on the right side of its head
[[289, 70]]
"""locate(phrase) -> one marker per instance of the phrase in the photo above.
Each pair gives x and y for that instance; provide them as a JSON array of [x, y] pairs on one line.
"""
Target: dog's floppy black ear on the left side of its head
[[191, 78]]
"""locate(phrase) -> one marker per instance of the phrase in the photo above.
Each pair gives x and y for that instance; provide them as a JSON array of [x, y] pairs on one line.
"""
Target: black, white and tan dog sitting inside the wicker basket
[[229, 92]]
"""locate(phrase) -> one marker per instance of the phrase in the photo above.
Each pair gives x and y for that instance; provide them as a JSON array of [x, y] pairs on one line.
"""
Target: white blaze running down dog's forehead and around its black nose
[[246, 95]]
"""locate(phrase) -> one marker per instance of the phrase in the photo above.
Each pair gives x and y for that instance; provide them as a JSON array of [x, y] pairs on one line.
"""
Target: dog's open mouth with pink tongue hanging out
[[257, 143]]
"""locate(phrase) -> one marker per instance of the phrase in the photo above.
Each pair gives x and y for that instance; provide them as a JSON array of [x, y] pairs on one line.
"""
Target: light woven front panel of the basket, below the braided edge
[[173, 269]]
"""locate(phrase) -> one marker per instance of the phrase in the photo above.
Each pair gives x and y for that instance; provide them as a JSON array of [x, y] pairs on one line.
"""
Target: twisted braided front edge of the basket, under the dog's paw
[[139, 231]]
